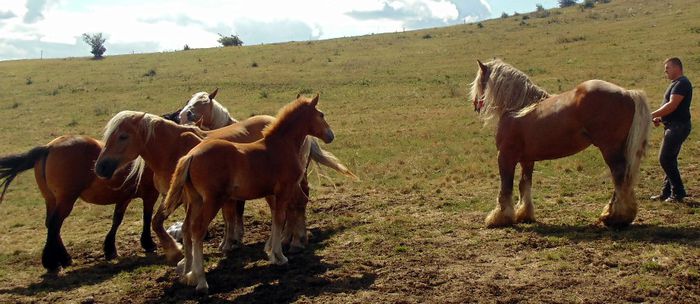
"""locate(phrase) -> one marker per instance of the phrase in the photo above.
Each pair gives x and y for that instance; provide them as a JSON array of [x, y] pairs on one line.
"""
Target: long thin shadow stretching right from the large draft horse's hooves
[[648, 233]]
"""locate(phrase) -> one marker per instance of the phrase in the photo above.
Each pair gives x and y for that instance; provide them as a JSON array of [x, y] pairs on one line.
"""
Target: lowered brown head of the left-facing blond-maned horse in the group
[[123, 139]]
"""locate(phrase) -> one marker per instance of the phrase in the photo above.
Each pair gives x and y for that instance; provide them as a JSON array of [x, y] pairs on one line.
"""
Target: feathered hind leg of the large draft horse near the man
[[622, 208]]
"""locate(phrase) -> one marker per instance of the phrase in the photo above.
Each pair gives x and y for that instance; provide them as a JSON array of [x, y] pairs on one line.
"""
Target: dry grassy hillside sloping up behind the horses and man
[[412, 229]]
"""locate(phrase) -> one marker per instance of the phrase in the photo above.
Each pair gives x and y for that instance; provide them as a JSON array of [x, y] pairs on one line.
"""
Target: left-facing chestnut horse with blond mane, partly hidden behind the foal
[[129, 135]]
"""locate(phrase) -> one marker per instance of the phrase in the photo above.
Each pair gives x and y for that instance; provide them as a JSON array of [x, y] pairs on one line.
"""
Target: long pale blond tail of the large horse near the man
[[637, 138]]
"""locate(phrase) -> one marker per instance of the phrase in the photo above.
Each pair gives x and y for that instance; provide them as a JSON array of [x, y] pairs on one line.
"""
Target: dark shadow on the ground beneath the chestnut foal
[[302, 276]]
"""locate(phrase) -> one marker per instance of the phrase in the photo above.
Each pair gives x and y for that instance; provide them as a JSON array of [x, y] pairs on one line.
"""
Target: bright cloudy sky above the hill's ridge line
[[31, 29]]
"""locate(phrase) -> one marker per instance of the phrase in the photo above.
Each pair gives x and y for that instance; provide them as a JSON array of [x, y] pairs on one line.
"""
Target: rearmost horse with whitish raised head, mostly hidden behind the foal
[[203, 110]]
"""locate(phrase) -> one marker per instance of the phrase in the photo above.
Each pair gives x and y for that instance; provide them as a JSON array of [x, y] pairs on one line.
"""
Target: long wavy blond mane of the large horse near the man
[[507, 90]]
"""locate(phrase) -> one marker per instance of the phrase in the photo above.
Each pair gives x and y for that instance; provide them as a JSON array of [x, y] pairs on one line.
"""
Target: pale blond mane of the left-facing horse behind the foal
[[148, 123]]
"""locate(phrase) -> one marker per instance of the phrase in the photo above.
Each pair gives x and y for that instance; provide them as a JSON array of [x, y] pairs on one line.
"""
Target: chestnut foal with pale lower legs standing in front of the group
[[216, 172]]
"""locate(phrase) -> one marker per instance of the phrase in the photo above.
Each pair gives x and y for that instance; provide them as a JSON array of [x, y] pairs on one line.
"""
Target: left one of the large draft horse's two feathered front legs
[[503, 215]]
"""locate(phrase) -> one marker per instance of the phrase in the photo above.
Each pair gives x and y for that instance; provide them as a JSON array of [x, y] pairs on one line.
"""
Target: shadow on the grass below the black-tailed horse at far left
[[84, 276]]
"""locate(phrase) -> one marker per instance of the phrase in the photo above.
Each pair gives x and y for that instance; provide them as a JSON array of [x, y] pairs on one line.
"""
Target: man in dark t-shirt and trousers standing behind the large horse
[[674, 113]]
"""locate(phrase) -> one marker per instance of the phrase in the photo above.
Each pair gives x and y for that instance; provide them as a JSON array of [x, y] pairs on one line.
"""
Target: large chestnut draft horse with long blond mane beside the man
[[595, 112]]
